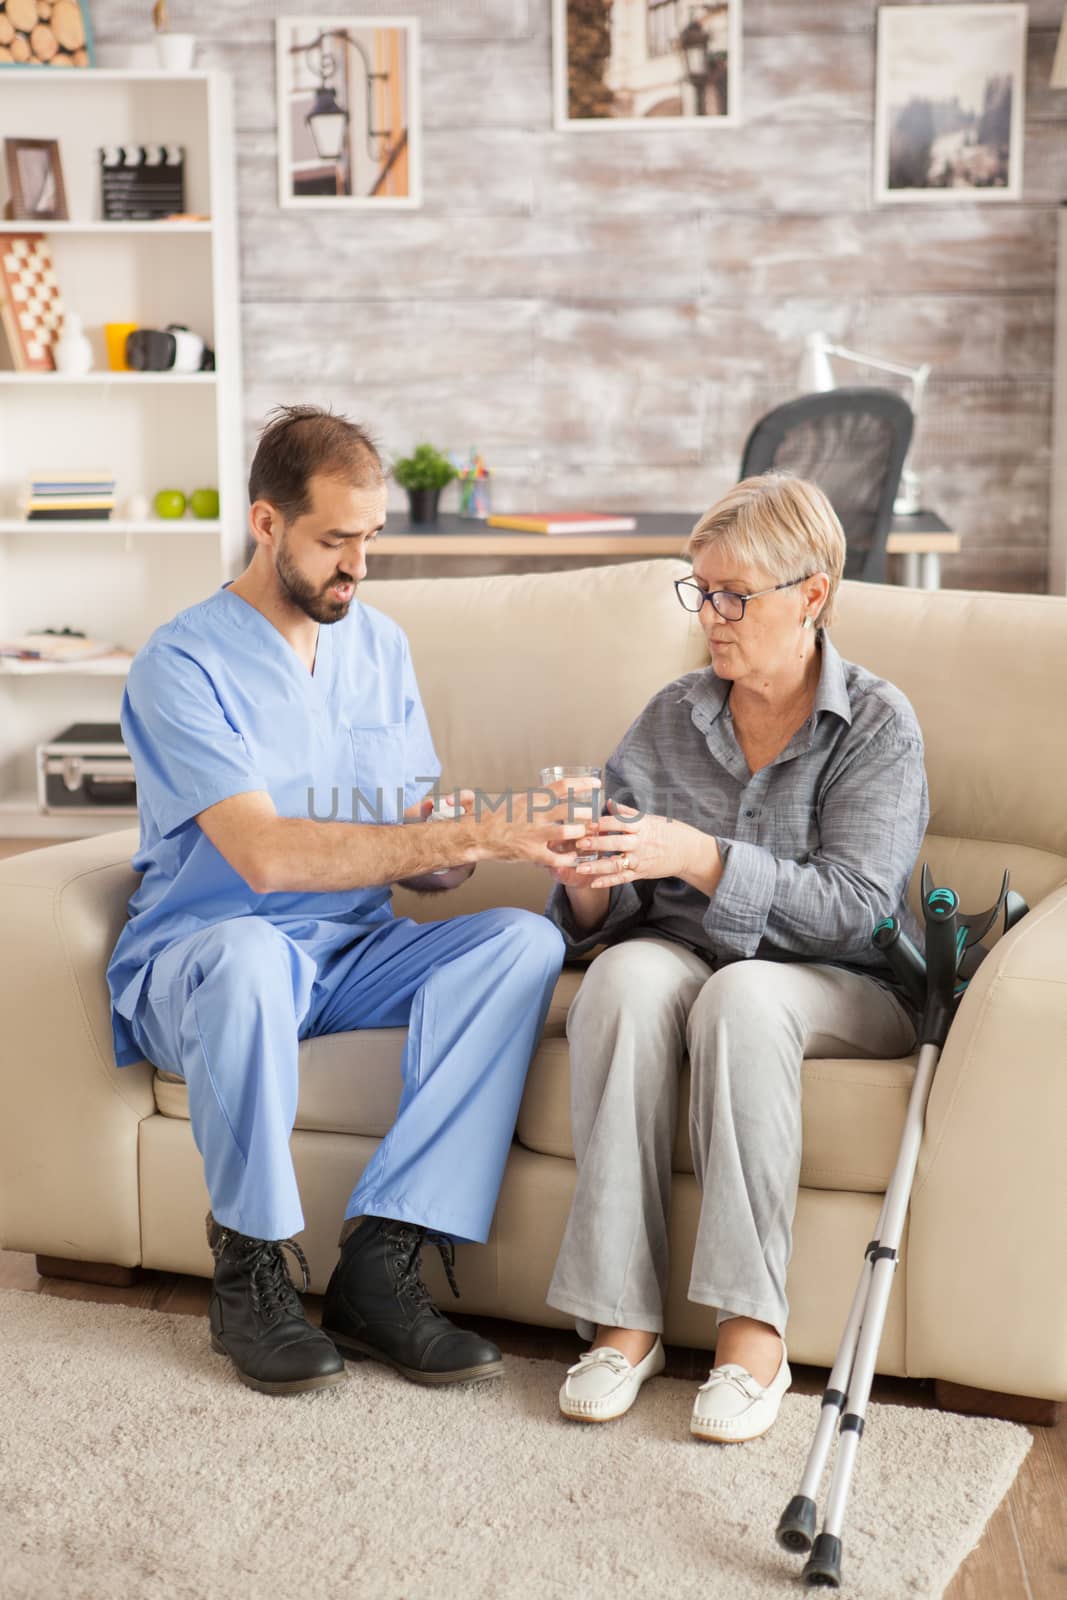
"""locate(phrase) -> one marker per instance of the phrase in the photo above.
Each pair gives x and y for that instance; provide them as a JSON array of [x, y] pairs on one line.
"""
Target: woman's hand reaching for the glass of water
[[631, 846]]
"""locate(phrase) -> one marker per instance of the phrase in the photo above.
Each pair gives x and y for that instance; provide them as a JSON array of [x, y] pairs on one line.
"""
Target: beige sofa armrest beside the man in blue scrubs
[[68, 1116]]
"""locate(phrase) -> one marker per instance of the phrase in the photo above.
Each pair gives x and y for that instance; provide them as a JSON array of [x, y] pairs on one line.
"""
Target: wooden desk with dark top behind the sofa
[[922, 538]]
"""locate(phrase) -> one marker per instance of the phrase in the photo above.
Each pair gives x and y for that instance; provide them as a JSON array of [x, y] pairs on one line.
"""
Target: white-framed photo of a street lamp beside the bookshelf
[[350, 132]]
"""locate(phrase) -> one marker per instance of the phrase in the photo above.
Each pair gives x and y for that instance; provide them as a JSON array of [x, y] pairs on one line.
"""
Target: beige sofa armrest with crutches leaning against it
[[986, 1284]]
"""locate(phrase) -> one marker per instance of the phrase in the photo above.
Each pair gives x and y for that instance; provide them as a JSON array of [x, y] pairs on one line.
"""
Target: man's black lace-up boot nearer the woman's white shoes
[[378, 1305]]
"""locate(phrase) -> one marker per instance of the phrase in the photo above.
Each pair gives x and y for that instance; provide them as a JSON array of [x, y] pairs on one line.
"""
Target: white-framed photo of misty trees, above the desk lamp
[[949, 103]]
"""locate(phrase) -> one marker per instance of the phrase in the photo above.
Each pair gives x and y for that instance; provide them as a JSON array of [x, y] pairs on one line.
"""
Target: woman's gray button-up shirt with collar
[[818, 847]]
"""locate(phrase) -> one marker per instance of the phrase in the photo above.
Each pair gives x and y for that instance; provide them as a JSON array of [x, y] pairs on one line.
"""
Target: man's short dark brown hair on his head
[[302, 442]]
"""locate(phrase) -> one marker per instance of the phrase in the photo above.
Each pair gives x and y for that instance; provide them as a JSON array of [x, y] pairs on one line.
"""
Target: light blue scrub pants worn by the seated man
[[226, 1009]]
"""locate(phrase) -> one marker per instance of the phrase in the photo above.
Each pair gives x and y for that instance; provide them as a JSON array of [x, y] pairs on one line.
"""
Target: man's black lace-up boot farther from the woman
[[258, 1318]]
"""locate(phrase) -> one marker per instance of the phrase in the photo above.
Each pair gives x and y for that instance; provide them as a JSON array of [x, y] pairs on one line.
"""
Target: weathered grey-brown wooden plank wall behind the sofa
[[605, 316]]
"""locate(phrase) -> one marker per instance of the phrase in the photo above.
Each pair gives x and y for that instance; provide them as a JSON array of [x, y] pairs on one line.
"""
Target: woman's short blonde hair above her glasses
[[781, 524]]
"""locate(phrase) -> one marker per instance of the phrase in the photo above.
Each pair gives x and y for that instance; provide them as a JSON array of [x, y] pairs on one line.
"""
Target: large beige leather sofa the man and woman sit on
[[98, 1166]]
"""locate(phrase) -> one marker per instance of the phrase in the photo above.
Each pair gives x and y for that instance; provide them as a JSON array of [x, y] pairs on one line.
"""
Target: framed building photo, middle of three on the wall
[[647, 65]]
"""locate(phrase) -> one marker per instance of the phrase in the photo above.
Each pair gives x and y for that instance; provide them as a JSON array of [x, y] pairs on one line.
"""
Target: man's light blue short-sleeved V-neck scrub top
[[218, 705]]
